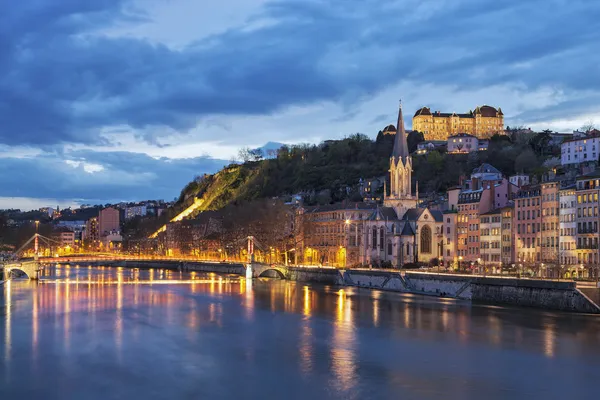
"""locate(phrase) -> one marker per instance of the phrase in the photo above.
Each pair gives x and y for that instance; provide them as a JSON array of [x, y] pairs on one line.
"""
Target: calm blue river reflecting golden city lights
[[104, 333]]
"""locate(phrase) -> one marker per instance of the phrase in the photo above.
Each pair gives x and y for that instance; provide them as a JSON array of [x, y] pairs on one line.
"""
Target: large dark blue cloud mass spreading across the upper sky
[[59, 83]]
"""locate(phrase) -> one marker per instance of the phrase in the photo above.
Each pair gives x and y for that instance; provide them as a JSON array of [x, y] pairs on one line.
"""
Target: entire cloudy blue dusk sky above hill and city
[[110, 100]]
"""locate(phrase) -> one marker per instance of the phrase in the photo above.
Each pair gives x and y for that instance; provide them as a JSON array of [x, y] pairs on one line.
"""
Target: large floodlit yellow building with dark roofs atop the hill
[[483, 123]]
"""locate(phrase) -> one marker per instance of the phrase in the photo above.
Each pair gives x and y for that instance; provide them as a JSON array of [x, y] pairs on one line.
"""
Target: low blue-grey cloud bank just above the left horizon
[[124, 176]]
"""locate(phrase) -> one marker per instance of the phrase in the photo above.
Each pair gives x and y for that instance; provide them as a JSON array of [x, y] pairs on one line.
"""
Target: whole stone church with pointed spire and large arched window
[[399, 232]]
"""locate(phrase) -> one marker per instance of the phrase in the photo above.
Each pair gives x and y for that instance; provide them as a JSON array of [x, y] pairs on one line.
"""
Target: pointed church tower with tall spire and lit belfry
[[400, 198]]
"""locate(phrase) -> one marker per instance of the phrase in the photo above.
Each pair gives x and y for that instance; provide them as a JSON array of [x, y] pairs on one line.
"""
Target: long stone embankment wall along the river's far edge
[[548, 295]]
